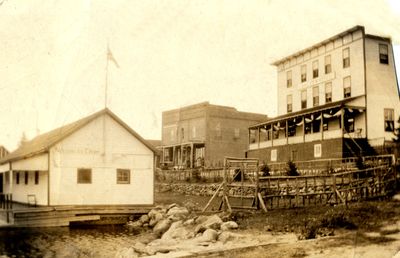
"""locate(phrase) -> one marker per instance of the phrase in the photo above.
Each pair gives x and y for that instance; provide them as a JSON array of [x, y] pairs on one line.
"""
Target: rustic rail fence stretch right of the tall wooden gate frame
[[286, 192]]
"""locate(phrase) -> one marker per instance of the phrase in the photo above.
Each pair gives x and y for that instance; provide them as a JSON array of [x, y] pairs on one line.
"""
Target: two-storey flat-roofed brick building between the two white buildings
[[203, 134]]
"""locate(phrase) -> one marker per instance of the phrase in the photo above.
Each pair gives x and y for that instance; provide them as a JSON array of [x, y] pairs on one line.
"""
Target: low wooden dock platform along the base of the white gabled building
[[66, 215]]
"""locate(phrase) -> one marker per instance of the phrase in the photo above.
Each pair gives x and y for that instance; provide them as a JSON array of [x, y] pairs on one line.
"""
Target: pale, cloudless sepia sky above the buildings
[[169, 53]]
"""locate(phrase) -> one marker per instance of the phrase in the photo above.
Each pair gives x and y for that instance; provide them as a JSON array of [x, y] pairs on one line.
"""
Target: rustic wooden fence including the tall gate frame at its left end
[[271, 192]]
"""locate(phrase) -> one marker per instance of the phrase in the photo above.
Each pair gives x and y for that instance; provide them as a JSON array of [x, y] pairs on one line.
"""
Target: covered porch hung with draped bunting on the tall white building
[[335, 121]]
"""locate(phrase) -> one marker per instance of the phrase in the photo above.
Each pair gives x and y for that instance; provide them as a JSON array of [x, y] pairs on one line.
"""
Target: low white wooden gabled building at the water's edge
[[98, 160]]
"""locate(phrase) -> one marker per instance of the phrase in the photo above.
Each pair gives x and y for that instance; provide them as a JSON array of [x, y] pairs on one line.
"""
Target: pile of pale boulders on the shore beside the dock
[[174, 228]]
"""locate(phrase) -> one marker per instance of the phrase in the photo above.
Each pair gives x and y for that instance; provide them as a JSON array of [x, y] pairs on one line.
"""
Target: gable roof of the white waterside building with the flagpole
[[42, 143]]
